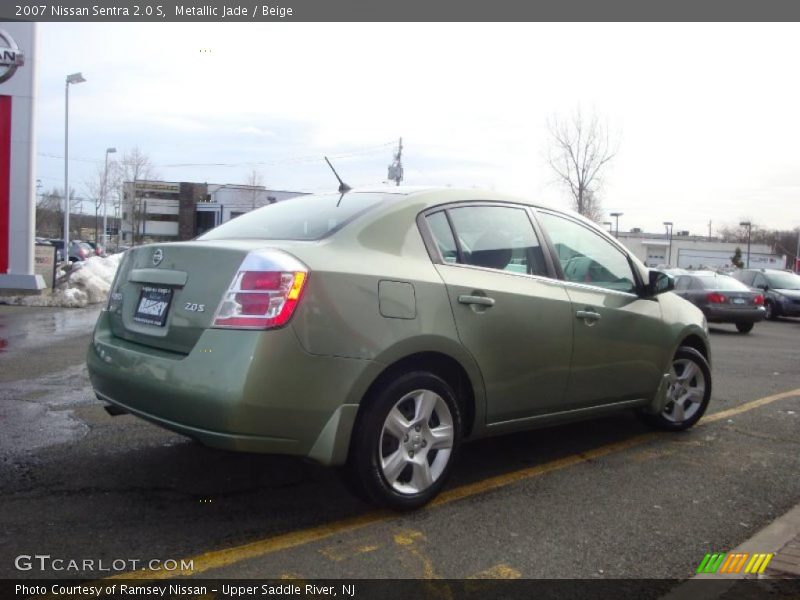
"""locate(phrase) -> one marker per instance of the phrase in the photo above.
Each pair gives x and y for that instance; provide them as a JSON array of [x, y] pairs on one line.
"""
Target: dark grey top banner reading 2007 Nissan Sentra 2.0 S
[[398, 10]]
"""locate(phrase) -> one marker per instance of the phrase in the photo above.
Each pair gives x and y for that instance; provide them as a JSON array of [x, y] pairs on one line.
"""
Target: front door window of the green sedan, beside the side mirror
[[586, 257]]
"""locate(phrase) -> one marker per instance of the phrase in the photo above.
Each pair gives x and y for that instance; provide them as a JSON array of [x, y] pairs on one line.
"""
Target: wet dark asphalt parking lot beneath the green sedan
[[600, 499]]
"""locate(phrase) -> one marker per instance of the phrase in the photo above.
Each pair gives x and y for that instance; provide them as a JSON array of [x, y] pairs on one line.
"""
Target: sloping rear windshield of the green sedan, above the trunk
[[302, 218]]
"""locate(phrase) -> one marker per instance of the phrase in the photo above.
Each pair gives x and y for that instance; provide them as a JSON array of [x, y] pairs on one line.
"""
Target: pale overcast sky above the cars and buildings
[[706, 117]]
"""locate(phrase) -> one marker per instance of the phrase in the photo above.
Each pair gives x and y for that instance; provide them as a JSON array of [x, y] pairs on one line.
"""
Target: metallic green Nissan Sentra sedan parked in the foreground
[[378, 330]]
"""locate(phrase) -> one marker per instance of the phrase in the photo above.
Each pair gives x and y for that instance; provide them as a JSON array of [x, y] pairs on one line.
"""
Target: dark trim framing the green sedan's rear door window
[[436, 256]]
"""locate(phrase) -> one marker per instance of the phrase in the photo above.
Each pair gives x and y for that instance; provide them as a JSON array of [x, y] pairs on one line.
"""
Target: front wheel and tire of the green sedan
[[688, 394]]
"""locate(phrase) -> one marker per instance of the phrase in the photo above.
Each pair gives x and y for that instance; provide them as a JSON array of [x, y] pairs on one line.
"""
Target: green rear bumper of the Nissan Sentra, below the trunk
[[237, 390]]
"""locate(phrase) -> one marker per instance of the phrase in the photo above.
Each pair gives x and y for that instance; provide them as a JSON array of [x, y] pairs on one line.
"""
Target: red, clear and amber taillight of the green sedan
[[262, 299]]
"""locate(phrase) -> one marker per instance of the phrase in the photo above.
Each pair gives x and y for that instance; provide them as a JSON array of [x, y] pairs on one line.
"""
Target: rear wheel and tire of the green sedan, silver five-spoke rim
[[405, 442]]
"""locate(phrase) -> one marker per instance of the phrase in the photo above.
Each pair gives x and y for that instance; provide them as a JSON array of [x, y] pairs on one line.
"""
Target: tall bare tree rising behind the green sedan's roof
[[580, 150]]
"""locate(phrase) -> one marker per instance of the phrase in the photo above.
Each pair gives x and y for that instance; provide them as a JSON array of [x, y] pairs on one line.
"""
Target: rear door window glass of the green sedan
[[496, 237]]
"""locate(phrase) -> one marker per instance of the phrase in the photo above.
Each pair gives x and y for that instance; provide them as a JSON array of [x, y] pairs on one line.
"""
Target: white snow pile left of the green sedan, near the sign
[[88, 282]]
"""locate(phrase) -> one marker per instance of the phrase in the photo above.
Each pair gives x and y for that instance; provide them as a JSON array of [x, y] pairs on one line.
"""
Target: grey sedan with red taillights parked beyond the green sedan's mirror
[[722, 298]]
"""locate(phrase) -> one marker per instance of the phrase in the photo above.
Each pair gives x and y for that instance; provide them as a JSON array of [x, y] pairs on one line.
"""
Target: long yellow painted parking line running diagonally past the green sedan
[[216, 559]]
